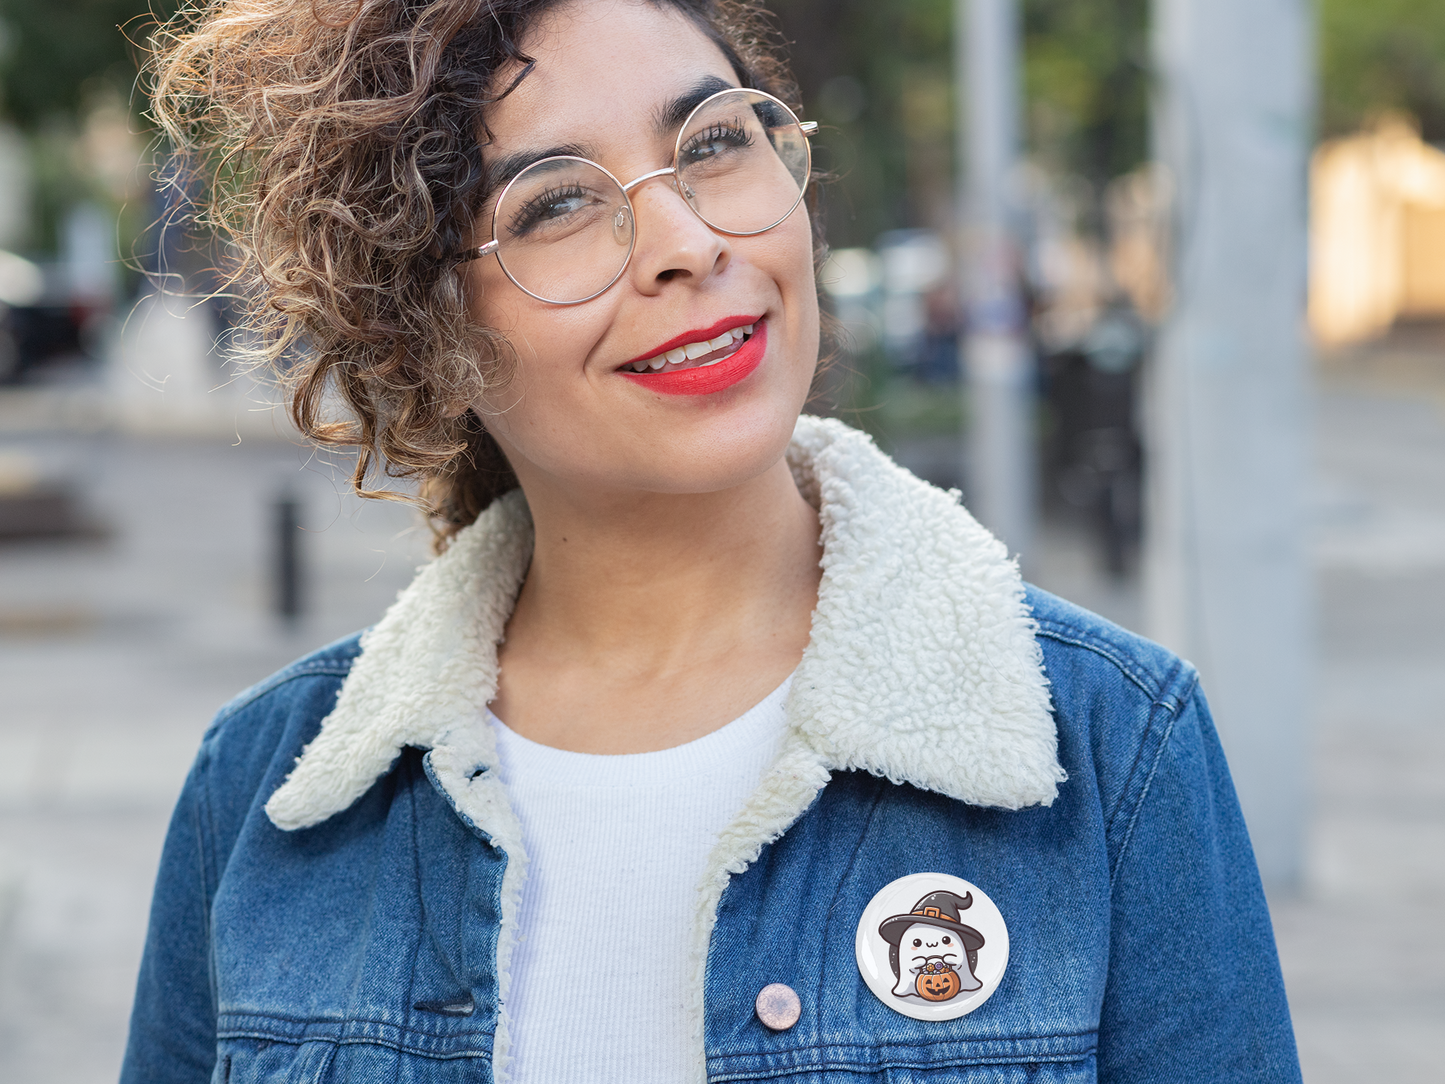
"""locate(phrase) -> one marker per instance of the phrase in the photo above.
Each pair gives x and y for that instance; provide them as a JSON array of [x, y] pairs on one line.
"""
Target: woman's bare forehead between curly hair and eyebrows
[[602, 67]]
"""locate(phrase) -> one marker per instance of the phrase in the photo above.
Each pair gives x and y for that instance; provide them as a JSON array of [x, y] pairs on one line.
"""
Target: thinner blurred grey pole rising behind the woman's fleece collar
[[996, 358]]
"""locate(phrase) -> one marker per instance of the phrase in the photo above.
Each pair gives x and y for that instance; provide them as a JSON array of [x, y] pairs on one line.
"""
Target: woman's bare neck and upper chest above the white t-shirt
[[637, 603]]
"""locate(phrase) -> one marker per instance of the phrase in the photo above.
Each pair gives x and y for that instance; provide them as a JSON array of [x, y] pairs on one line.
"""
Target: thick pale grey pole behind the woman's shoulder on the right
[[1226, 570]]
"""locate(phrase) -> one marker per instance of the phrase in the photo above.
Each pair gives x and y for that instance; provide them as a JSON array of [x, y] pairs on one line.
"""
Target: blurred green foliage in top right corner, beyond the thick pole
[[1382, 56]]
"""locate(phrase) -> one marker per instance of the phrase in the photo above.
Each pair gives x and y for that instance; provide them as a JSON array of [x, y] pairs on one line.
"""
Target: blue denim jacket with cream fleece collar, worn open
[[339, 892]]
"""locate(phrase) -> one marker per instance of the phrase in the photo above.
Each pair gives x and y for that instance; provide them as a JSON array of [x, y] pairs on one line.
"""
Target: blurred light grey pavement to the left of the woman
[[113, 658]]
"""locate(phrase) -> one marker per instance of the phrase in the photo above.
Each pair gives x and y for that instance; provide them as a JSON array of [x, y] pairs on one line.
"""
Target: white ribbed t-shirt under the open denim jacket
[[618, 846]]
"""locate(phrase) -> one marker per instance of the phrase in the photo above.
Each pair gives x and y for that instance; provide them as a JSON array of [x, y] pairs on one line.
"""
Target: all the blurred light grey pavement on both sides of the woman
[[115, 654]]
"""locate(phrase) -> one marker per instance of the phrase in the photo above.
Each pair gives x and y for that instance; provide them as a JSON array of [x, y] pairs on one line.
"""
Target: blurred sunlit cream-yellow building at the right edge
[[1378, 233]]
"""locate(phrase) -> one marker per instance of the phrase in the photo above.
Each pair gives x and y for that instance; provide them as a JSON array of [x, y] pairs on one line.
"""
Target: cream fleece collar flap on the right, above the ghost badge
[[923, 664]]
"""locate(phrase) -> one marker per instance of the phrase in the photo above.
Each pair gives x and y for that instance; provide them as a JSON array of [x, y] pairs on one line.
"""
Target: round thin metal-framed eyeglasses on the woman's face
[[564, 228]]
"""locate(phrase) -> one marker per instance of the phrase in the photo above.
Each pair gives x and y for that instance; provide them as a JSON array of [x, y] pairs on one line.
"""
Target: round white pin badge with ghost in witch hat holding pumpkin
[[933, 946]]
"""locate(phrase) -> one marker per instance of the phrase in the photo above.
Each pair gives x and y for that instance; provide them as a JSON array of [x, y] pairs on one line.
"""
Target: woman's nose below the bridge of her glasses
[[673, 244]]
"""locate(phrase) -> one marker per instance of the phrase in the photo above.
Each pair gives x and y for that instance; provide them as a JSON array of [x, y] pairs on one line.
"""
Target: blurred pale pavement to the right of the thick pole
[[1363, 946]]
